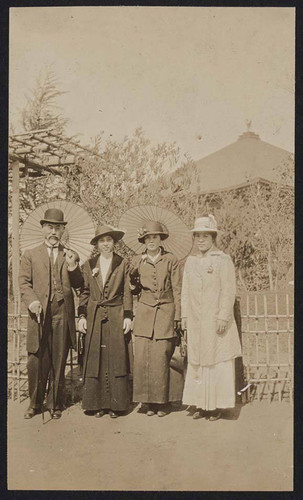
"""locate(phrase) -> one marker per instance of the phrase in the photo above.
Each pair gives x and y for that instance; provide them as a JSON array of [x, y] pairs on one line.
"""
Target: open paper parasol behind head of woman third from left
[[179, 241]]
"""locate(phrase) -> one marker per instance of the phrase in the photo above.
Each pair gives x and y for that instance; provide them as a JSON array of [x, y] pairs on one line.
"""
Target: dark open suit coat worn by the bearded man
[[34, 282]]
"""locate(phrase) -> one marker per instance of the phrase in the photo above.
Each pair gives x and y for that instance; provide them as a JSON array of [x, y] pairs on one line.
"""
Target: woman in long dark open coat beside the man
[[106, 302]]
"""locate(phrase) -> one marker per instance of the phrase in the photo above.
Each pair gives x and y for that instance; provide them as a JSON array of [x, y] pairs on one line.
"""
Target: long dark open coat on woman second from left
[[111, 301]]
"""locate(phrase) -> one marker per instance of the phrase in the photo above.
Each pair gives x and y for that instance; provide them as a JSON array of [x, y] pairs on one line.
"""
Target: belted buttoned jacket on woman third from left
[[159, 289]]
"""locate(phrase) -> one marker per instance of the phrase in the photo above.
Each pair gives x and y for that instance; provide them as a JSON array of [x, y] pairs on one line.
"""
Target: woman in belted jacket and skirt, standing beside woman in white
[[155, 278]]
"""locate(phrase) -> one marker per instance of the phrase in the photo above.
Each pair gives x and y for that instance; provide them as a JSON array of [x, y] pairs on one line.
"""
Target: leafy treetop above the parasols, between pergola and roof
[[110, 184]]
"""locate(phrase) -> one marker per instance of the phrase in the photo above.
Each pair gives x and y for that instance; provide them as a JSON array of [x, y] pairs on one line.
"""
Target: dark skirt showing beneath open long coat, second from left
[[106, 391]]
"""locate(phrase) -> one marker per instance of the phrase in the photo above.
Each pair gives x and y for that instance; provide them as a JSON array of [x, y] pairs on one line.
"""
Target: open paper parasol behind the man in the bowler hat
[[80, 228]]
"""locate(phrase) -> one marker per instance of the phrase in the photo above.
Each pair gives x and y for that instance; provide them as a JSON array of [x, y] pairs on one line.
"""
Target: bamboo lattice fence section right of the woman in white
[[268, 339]]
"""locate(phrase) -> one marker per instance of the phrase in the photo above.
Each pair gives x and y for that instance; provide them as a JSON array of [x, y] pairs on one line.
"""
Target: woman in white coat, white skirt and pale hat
[[207, 300]]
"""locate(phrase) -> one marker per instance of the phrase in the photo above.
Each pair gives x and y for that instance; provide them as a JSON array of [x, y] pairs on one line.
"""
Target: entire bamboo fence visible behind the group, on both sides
[[267, 339]]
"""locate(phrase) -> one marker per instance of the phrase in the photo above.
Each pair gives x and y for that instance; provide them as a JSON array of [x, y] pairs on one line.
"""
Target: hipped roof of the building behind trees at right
[[242, 161]]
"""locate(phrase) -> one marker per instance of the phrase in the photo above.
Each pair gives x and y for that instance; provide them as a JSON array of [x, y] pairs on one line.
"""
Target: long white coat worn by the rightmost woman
[[208, 294]]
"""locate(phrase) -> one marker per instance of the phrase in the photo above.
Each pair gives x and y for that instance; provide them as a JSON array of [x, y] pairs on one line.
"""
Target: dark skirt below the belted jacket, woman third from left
[[151, 369]]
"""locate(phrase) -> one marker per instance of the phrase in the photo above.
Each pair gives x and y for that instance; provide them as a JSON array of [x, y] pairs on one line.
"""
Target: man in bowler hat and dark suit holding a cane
[[47, 275]]
